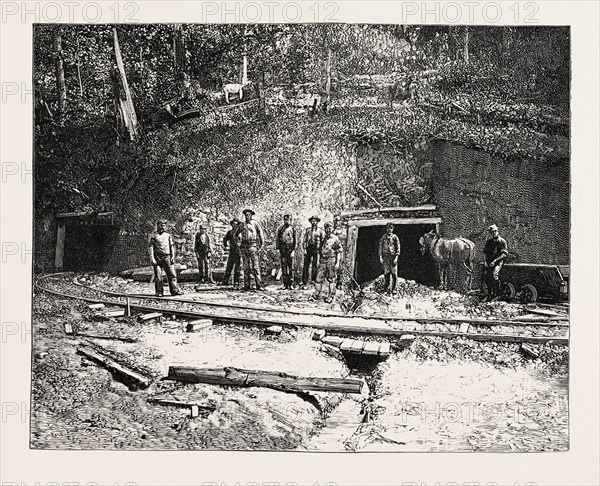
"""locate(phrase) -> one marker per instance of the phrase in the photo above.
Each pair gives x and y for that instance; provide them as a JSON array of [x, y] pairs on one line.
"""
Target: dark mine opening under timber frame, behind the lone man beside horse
[[411, 264]]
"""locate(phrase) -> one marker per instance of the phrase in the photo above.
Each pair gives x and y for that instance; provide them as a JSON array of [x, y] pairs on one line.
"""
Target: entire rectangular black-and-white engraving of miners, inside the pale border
[[301, 237]]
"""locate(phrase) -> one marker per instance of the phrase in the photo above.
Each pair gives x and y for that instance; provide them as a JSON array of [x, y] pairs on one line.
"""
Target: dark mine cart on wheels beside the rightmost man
[[530, 282]]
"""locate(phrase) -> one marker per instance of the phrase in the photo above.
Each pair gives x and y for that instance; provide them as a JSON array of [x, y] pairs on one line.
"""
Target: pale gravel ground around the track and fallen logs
[[438, 394]]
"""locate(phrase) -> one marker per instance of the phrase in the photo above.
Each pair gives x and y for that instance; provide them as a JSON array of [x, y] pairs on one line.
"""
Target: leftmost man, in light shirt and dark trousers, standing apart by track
[[162, 257]]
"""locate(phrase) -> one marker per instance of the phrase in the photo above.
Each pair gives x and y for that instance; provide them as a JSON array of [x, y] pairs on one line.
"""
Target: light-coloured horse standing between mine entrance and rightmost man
[[449, 251]]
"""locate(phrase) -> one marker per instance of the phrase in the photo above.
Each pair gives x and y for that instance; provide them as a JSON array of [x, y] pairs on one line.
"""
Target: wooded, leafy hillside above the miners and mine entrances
[[505, 90]]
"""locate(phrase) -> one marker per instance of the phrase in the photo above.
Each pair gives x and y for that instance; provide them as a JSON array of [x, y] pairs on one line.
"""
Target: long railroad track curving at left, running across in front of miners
[[544, 330]]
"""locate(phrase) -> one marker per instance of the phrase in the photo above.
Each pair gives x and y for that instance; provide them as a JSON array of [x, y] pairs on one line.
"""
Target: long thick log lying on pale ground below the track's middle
[[282, 381]]
